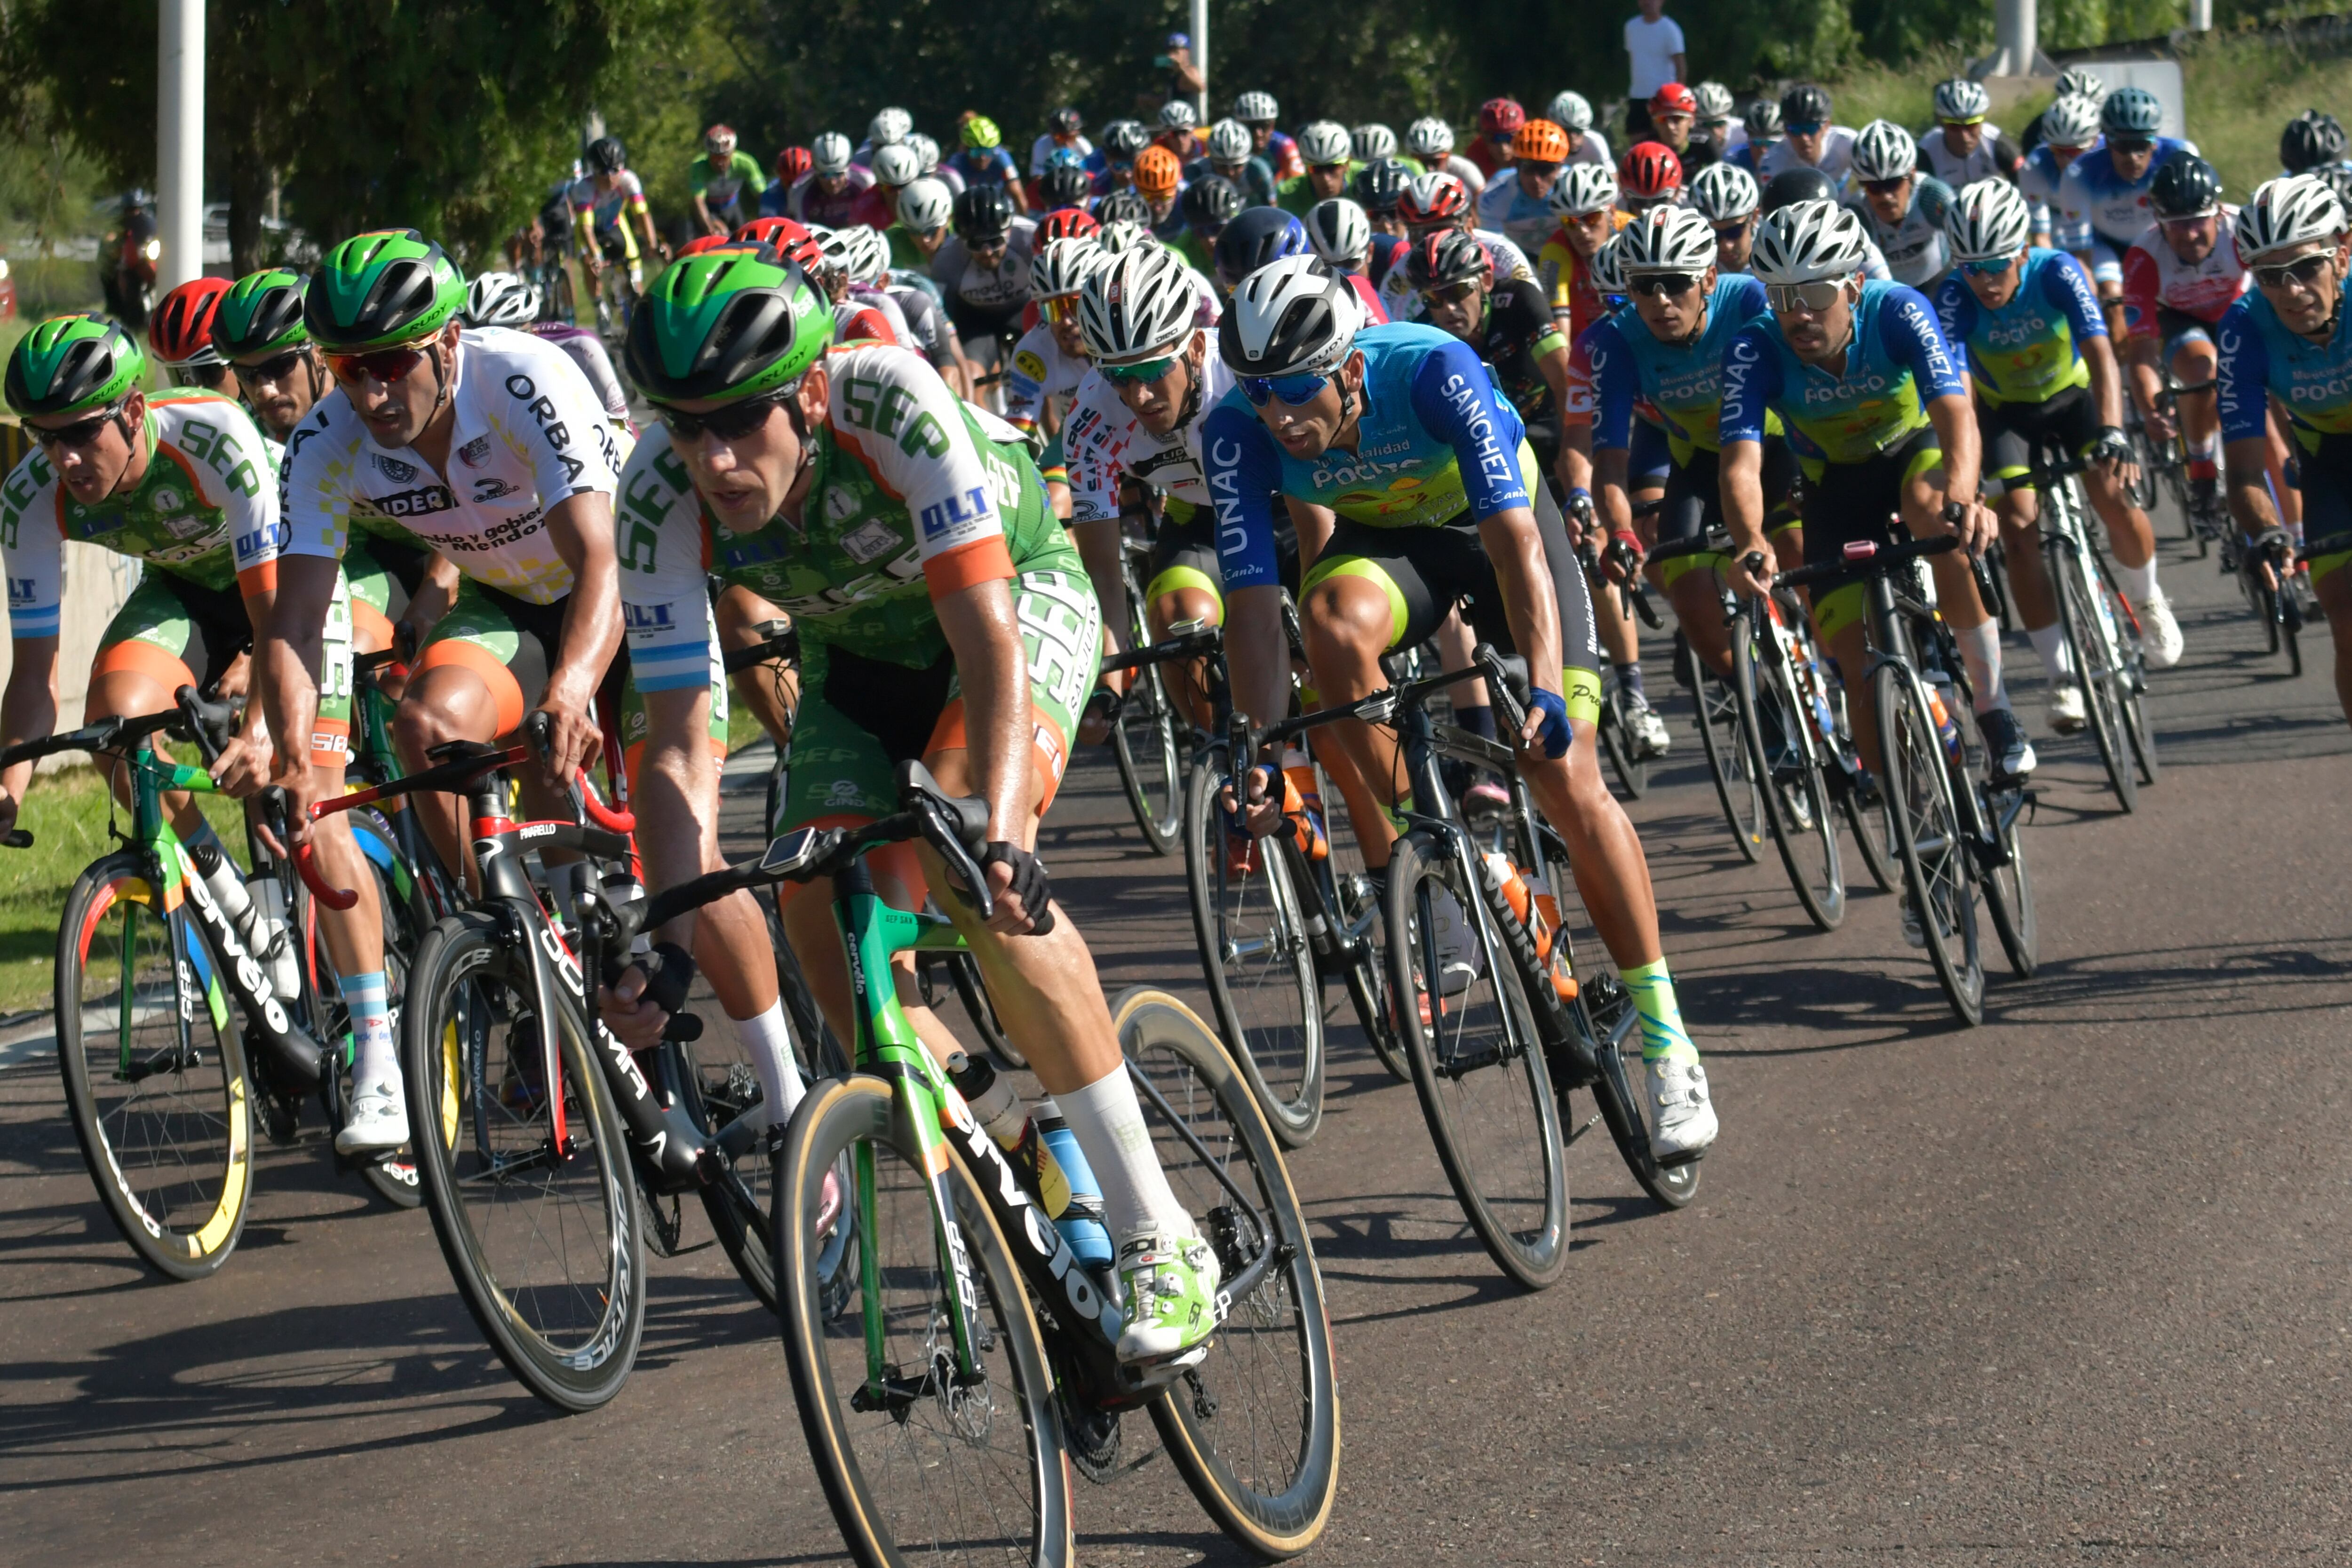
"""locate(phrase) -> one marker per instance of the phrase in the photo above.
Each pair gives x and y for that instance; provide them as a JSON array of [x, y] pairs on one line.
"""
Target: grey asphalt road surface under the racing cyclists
[[2071, 1287]]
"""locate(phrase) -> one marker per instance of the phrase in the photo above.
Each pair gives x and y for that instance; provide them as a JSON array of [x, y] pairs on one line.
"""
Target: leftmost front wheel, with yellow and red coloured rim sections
[[199, 1123]]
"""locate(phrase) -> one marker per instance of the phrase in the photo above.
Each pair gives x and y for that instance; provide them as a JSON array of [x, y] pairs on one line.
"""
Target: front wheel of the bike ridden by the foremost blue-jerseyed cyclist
[[1528, 1231]]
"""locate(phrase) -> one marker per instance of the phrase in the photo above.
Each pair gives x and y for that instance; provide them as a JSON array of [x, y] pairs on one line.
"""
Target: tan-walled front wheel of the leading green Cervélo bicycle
[[916, 1463]]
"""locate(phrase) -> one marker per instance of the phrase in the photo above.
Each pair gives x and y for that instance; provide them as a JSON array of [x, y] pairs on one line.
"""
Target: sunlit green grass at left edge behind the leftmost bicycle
[[67, 815]]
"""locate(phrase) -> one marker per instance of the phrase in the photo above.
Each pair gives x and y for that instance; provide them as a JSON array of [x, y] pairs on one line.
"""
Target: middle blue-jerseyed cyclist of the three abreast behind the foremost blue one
[[1880, 420]]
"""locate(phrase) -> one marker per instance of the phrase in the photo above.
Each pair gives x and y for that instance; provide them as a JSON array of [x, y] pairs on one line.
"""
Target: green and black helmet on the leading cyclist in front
[[728, 326]]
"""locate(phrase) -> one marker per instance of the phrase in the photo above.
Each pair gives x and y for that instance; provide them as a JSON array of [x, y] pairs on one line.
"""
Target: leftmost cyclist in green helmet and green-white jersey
[[185, 485]]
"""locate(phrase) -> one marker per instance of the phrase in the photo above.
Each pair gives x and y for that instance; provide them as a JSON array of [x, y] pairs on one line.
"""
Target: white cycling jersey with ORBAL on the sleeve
[[528, 436]]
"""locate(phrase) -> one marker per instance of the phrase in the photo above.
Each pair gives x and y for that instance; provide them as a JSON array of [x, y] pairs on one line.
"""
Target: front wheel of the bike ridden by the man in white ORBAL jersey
[[575, 1343]]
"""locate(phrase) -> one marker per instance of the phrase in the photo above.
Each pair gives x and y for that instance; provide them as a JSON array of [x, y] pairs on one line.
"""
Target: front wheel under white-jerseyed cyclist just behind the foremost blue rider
[[1271, 1014]]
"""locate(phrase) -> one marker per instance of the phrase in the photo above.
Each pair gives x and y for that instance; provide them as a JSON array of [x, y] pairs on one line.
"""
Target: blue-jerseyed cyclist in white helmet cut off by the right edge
[[2285, 342]]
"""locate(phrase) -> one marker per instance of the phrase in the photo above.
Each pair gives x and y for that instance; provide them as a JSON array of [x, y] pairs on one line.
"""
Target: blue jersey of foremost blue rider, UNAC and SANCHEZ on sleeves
[[1436, 441]]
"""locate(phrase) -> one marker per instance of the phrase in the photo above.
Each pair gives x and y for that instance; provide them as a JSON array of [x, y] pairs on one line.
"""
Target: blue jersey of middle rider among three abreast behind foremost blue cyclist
[[1897, 363]]
